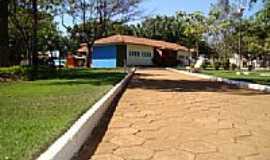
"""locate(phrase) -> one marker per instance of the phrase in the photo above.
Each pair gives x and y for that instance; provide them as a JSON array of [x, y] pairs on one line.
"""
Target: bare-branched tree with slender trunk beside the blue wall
[[99, 13]]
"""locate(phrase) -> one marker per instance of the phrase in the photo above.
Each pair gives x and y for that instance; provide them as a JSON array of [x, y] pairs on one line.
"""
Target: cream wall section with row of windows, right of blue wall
[[139, 55]]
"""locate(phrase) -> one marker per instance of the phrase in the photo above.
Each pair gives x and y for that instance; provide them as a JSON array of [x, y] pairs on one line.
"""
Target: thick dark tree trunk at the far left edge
[[4, 48]]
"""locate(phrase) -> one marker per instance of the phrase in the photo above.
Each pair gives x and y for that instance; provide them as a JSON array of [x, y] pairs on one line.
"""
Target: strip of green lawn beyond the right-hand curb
[[260, 77]]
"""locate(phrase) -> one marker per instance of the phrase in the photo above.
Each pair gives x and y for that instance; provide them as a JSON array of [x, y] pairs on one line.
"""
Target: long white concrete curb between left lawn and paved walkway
[[65, 147]]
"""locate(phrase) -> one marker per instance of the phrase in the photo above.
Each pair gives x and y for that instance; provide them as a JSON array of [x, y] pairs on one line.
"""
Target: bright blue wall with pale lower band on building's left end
[[104, 56]]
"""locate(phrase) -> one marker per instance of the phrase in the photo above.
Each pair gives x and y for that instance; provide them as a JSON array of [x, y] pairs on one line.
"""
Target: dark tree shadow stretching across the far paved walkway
[[165, 85]]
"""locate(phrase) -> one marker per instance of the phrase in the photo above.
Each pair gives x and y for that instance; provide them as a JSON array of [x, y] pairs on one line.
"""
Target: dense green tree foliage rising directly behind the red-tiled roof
[[183, 28]]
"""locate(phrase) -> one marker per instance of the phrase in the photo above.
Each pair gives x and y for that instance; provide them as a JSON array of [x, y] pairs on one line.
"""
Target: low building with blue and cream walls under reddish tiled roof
[[120, 50]]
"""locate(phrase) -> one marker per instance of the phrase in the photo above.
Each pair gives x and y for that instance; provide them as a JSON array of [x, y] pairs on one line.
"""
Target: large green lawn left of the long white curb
[[34, 114]]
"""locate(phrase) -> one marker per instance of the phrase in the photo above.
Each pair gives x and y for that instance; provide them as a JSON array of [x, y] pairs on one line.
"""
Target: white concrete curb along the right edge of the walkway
[[246, 85]]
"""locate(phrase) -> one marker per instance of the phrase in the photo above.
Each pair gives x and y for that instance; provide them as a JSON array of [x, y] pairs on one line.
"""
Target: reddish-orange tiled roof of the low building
[[123, 39]]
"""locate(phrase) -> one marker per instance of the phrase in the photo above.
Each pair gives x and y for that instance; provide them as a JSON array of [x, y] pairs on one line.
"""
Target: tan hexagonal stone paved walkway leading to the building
[[169, 116]]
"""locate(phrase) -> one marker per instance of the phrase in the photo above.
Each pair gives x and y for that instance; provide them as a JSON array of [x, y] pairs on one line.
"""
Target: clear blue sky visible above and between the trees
[[169, 7]]
